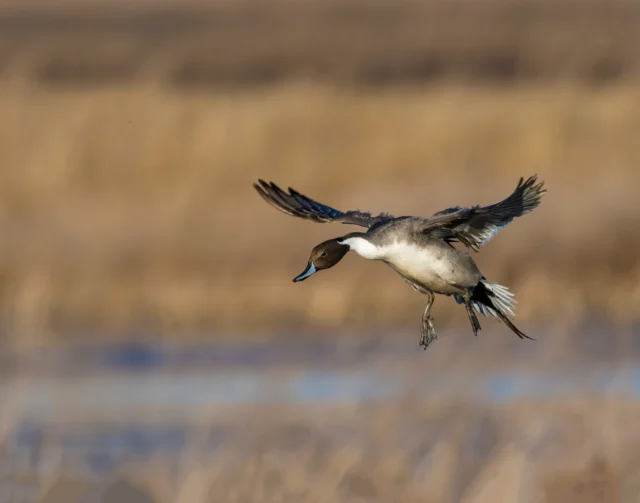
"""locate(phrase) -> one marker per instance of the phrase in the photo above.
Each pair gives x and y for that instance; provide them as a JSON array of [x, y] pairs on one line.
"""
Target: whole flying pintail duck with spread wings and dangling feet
[[420, 249]]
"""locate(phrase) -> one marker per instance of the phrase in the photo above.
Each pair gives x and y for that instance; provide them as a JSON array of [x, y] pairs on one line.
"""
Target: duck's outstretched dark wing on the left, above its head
[[295, 204]]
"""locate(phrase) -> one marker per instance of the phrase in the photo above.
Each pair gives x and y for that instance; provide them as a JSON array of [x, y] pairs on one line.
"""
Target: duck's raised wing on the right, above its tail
[[477, 225]]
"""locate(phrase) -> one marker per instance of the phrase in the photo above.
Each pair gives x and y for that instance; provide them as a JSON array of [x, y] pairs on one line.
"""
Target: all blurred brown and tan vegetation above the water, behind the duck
[[125, 198]]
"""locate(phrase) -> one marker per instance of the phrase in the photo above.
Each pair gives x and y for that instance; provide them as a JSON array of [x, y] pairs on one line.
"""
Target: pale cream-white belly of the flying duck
[[441, 269]]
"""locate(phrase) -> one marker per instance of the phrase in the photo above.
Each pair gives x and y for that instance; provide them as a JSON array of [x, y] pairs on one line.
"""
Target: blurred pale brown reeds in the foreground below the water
[[575, 451]]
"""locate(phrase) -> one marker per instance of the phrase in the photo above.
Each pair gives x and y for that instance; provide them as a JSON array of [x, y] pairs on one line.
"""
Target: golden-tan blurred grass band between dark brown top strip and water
[[128, 208]]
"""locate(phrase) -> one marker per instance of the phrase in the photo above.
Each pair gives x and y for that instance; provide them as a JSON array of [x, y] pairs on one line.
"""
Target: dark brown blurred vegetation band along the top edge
[[373, 43]]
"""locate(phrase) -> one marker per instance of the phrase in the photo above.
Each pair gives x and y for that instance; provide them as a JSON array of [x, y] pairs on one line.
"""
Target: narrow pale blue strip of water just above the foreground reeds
[[160, 391]]
